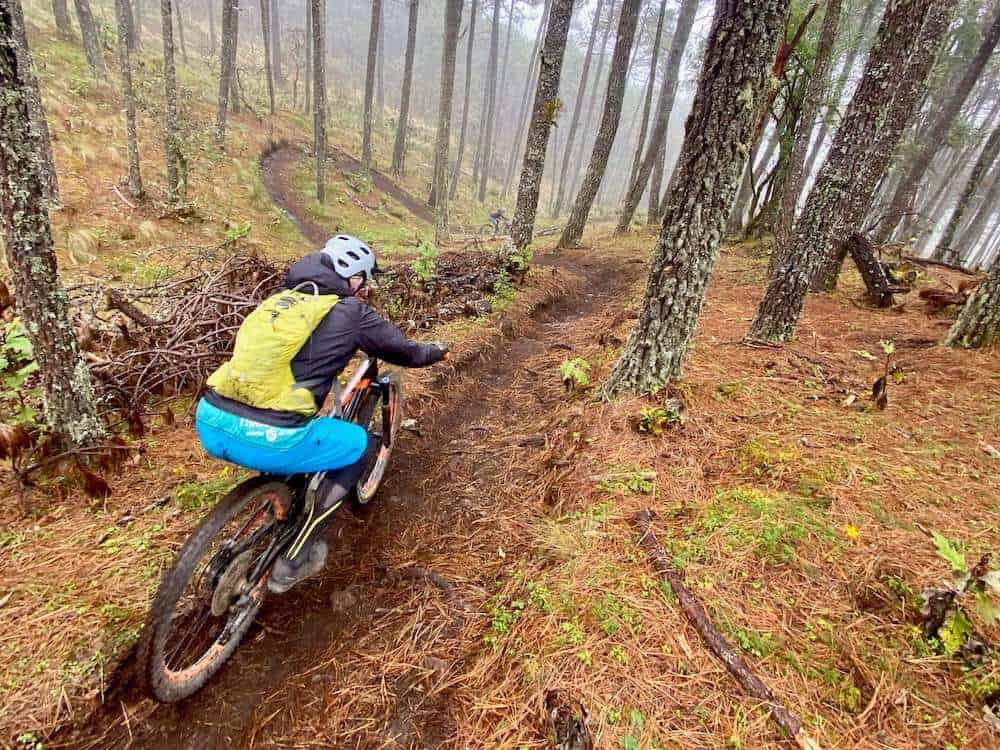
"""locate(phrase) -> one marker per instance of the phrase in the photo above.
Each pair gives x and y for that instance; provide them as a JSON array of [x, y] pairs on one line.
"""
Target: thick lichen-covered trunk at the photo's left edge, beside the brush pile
[[41, 301]]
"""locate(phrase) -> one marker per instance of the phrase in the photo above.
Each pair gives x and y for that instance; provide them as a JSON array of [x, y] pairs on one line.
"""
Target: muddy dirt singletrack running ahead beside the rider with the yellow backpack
[[322, 664]]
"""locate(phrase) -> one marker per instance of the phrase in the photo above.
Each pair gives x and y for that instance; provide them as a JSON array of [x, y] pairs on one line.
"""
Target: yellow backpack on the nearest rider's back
[[259, 373]]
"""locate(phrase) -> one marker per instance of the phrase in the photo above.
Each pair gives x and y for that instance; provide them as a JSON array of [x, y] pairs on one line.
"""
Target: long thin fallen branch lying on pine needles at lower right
[[718, 645]]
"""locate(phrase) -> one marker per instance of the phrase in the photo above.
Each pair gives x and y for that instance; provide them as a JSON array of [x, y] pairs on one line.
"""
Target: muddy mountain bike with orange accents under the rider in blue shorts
[[207, 601]]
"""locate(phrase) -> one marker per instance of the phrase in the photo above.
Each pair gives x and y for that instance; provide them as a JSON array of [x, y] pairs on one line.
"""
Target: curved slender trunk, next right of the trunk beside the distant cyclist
[[609, 125]]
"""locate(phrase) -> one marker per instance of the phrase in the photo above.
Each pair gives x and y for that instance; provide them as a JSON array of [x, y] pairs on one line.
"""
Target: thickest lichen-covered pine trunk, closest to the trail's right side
[[740, 48]]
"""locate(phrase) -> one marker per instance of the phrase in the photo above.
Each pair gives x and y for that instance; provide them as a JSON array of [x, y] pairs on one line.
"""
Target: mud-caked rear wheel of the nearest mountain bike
[[213, 576]]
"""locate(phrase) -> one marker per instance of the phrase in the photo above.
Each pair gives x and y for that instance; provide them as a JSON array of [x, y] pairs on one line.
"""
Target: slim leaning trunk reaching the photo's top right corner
[[938, 132]]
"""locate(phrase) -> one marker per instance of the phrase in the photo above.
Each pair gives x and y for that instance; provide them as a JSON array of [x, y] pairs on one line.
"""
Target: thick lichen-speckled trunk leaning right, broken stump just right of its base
[[907, 44]]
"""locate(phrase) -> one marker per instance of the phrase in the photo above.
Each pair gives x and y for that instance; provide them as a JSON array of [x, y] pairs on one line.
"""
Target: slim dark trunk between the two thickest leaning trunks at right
[[818, 80]]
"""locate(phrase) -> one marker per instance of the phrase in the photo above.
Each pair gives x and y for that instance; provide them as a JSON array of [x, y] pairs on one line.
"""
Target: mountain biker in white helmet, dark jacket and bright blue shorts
[[260, 409]]
